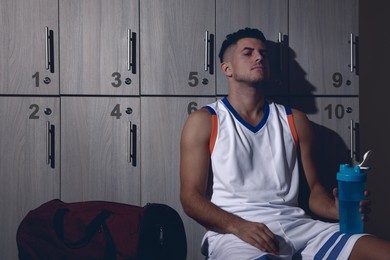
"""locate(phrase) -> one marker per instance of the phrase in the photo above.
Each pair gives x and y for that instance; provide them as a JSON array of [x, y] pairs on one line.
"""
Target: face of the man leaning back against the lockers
[[247, 61]]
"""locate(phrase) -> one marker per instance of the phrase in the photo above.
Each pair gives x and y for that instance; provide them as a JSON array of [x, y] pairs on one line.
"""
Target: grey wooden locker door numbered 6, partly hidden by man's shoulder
[[162, 122]]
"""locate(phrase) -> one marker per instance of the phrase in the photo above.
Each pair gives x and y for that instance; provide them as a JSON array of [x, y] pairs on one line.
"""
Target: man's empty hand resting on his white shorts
[[258, 235]]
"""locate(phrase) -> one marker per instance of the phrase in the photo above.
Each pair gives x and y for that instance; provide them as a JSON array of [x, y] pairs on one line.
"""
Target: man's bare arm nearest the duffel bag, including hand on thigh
[[194, 170]]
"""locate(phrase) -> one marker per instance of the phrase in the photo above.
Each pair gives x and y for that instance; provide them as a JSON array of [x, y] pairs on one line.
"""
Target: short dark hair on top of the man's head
[[234, 37]]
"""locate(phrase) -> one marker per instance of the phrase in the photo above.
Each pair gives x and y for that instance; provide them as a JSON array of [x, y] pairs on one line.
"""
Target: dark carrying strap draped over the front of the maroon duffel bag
[[97, 224]]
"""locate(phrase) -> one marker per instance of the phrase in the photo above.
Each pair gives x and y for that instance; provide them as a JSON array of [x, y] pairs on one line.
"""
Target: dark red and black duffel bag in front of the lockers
[[101, 230]]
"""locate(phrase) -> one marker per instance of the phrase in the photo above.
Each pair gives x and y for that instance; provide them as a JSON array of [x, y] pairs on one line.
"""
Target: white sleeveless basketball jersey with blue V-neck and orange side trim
[[255, 168]]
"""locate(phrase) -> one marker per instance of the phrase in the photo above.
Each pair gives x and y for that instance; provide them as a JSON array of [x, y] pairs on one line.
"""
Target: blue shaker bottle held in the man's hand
[[351, 187]]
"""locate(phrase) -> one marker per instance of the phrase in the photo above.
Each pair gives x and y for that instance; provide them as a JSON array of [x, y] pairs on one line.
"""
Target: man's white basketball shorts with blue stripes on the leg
[[298, 239]]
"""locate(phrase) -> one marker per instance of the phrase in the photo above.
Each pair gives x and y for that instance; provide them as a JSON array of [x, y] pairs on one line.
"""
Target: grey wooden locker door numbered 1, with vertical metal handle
[[29, 47]]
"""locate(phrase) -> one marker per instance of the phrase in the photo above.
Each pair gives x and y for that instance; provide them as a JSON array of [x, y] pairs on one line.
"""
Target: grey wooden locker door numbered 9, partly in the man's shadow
[[320, 34]]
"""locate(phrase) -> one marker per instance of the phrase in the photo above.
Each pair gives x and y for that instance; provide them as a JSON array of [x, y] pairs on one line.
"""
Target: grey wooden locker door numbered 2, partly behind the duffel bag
[[29, 161]]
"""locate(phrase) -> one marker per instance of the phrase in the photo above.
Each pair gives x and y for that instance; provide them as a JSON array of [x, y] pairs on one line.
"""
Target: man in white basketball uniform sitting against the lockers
[[251, 147]]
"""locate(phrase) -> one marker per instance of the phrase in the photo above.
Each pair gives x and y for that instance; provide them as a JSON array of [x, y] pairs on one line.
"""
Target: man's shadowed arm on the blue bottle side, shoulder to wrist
[[320, 201]]
